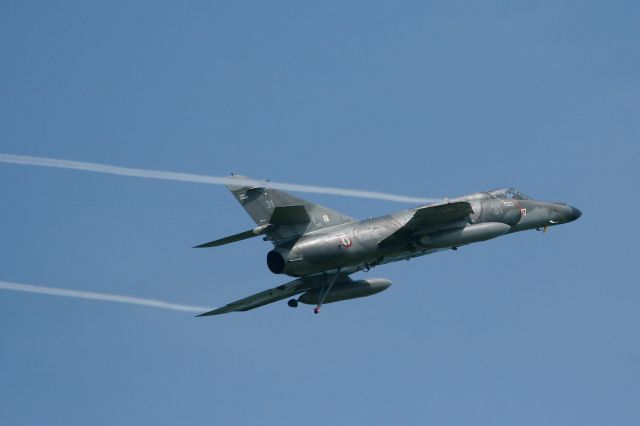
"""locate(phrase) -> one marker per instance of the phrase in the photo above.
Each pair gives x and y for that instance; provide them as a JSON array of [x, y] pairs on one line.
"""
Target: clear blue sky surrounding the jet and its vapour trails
[[417, 98]]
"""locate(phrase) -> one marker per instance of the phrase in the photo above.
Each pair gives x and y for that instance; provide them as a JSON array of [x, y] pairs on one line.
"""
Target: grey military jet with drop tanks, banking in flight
[[322, 248]]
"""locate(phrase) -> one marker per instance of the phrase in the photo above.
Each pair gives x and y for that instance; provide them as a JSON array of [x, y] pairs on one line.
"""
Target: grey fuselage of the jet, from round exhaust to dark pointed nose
[[371, 242]]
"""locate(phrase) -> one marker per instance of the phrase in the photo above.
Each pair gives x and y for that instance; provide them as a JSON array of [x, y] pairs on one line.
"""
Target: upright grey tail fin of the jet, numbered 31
[[266, 205]]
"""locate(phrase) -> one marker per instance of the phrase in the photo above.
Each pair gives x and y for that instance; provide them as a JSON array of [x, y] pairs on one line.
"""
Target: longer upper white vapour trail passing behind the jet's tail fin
[[212, 180]]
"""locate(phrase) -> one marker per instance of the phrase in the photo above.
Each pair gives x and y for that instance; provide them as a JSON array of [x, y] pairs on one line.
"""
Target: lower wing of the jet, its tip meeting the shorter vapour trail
[[272, 295]]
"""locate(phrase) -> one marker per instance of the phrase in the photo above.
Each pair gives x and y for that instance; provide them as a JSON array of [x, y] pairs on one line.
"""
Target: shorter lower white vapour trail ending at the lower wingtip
[[99, 296]]
